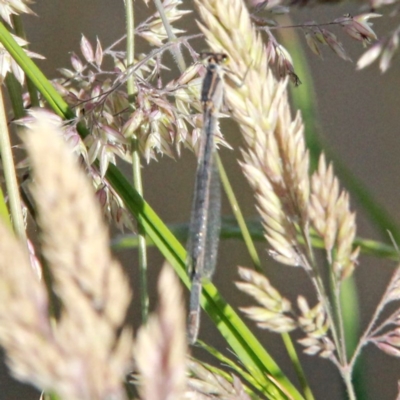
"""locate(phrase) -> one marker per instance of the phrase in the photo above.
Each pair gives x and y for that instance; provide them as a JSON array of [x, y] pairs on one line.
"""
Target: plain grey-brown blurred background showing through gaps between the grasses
[[359, 117]]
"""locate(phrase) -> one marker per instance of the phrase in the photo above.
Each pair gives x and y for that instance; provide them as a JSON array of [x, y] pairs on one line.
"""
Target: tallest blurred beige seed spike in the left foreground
[[74, 235]]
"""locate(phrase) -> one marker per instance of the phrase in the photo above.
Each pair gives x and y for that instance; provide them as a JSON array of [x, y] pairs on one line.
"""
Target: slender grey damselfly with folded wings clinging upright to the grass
[[205, 221]]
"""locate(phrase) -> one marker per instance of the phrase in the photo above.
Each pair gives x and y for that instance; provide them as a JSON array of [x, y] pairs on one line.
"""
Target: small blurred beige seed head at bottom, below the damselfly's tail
[[160, 350]]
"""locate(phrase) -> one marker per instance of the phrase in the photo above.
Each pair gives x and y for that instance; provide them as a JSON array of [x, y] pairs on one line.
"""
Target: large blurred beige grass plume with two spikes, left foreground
[[80, 356]]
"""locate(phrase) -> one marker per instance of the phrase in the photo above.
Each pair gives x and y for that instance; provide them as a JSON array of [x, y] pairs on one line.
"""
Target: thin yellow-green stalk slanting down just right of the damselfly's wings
[[239, 216]]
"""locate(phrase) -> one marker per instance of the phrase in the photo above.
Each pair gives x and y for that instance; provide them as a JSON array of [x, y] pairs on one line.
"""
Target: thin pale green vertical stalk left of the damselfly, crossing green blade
[[136, 167]]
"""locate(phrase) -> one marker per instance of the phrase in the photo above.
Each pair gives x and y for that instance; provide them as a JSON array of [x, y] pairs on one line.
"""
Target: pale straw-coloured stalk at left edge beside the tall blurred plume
[[10, 176]]
